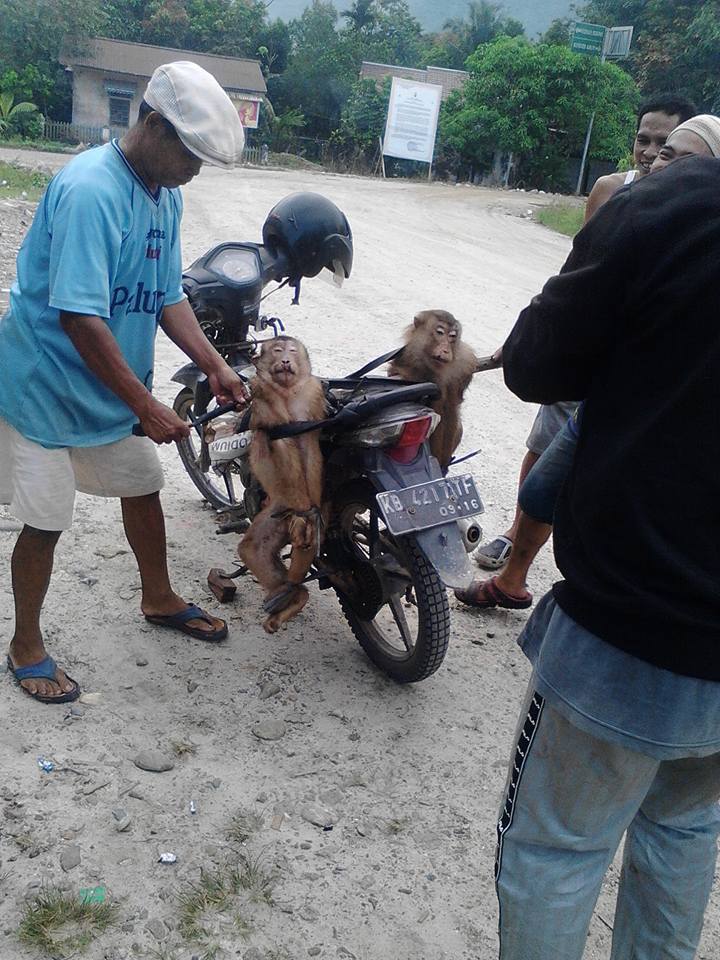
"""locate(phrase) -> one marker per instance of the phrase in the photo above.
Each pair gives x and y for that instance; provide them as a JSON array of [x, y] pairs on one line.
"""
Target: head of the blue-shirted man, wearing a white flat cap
[[186, 119]]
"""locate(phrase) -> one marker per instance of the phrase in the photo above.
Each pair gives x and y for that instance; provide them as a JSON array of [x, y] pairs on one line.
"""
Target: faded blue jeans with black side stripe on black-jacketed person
[[570, 798]]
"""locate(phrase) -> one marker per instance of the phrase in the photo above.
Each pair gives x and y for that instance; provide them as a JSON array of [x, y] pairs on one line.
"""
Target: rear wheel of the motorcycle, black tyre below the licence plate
[[407, 650]]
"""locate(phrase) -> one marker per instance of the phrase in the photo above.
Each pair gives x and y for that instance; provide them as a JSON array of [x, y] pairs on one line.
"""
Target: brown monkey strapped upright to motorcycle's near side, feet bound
[[290, 471]]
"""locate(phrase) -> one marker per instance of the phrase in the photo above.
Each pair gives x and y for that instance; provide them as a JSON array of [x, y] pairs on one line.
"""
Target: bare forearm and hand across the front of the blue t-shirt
[[100, 351]]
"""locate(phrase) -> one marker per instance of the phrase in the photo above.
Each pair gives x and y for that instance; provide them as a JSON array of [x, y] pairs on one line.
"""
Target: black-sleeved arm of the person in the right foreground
[[568, 330]]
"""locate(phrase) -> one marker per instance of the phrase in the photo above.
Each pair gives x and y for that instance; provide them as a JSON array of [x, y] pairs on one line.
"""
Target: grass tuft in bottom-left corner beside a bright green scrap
[[61, 924]]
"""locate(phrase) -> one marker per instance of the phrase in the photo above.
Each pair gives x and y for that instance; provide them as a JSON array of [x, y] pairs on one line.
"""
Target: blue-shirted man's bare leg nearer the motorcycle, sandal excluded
[[145, 530]]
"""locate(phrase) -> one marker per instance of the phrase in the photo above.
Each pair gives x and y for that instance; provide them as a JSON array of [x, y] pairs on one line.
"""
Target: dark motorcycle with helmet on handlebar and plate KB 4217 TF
[[398, 531]]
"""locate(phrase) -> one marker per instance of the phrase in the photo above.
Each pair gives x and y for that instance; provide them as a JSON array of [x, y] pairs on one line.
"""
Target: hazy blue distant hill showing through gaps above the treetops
[[535, 14]]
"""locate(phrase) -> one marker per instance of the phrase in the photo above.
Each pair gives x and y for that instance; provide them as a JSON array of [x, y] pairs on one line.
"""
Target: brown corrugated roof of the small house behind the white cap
[[141, 59]]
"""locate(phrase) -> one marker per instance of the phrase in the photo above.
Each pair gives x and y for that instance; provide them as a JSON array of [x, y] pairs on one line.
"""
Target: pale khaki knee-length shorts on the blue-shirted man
[[39, 484]]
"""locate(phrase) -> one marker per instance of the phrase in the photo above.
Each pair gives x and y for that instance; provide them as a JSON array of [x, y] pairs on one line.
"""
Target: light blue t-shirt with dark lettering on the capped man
[[101, 245]]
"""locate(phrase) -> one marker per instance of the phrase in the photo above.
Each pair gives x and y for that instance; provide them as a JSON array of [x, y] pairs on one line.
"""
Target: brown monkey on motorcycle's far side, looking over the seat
[[434, 351]]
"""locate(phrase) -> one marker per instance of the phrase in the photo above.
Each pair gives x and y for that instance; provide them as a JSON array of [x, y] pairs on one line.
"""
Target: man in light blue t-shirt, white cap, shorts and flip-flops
[[100, 268]]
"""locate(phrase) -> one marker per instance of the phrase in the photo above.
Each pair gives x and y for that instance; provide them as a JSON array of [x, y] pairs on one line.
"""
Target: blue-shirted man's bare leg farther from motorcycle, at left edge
[[32, 563]]
